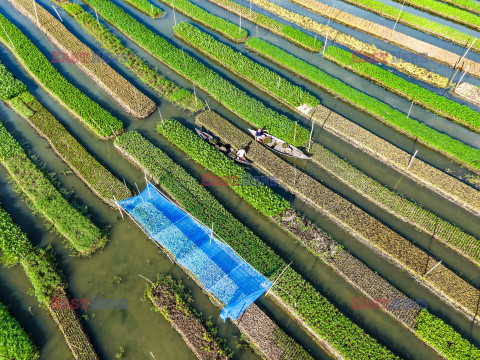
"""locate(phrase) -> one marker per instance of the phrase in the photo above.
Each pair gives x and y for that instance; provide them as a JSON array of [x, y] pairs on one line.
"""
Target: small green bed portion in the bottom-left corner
[[15, 343]]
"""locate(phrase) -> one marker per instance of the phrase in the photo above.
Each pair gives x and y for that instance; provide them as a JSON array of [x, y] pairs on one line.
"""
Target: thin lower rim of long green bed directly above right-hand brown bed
[[366, 111]]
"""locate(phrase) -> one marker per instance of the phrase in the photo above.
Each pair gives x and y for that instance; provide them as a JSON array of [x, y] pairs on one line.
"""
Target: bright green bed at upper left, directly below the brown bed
[[96, 118]]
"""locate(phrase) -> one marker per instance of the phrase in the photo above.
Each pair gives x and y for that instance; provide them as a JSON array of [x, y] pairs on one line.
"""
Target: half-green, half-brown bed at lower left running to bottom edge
[[48, 285]]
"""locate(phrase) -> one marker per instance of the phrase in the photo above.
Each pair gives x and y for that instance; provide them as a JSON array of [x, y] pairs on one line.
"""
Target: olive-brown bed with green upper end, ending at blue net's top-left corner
[[97, 178]]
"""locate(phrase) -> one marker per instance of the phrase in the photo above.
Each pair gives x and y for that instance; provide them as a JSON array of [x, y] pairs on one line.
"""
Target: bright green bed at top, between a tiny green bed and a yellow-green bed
[[210, 21]]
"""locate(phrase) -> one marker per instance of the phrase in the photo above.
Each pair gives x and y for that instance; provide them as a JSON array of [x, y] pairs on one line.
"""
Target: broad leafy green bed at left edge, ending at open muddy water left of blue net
[[45, 199]]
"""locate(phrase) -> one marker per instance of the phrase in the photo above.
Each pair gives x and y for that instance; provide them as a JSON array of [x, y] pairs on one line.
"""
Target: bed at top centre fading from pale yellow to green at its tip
[[288, 32]]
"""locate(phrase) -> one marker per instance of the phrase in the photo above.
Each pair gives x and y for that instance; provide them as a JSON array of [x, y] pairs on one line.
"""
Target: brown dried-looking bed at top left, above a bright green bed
[[115, 85]]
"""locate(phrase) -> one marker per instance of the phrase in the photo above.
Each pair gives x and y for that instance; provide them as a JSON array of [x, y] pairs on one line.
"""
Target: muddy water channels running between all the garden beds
[[113, 273]]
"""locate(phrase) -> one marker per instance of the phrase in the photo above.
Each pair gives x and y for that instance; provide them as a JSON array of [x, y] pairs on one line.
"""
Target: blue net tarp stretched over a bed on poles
[[220, 270]]
